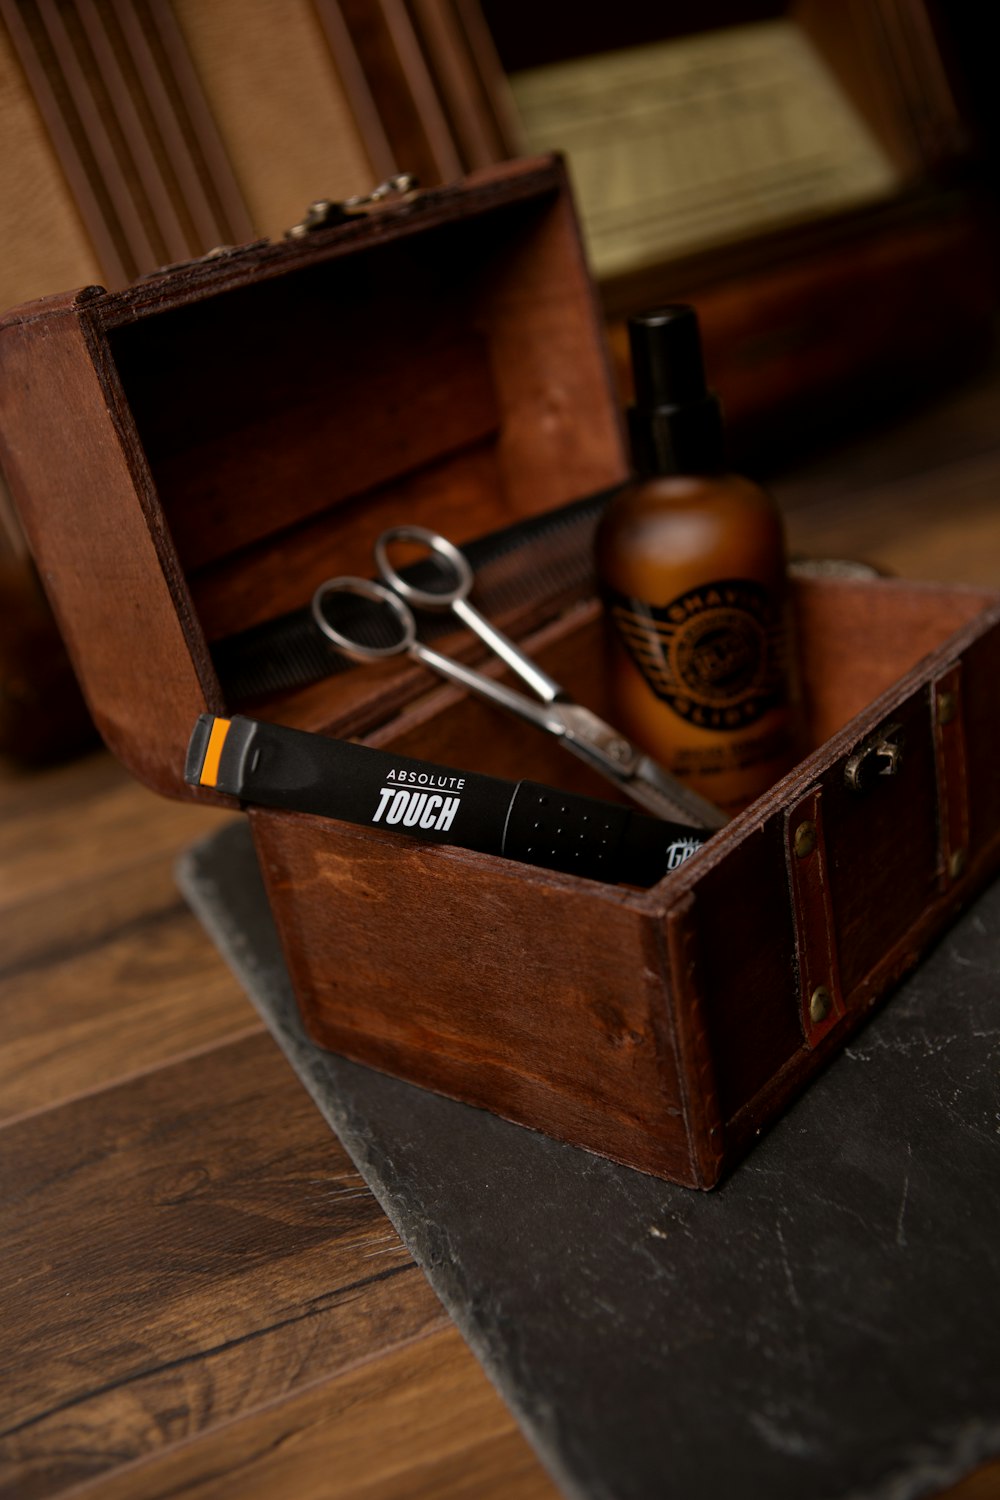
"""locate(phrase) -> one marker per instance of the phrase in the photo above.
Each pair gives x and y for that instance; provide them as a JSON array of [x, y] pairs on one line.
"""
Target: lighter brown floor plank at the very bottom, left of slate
[[418, 1424]]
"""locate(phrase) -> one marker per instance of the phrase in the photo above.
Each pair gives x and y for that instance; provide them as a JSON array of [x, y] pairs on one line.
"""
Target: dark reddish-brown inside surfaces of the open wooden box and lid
[[454, 379]]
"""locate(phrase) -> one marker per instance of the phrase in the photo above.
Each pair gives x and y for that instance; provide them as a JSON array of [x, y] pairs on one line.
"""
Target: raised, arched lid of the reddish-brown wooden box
[[194, 455]]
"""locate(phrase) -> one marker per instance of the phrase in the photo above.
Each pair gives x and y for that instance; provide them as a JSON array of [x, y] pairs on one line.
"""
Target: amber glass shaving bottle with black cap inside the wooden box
[[693, 568]]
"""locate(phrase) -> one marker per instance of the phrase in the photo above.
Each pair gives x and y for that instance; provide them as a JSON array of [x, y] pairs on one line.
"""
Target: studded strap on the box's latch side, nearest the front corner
[[821, 998]]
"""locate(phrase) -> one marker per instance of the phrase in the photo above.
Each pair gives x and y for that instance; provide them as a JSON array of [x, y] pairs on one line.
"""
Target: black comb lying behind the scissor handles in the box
[[545, 557]]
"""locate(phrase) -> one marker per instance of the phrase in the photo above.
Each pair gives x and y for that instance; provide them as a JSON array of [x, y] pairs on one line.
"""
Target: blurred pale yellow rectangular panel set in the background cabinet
[[702, 140]]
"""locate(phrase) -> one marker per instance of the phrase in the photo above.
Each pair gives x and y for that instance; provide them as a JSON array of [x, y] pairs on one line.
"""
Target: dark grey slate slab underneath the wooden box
[[824, 1325]]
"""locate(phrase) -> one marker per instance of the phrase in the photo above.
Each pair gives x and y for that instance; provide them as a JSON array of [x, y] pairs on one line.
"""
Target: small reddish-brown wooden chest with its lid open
[[193, 457]]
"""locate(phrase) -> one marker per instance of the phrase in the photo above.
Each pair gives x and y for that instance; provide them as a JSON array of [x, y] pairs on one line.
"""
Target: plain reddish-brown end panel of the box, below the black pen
[[540, 1000]]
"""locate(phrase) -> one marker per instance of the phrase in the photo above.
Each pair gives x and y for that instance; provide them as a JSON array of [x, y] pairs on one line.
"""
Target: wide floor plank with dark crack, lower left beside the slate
[[178, 1252]]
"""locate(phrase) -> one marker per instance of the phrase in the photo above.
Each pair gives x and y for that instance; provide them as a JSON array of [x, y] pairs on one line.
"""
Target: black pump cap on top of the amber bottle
[[677, 424]]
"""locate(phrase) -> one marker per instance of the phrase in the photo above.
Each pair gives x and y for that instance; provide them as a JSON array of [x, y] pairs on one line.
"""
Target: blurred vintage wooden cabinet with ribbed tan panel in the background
[[152, 131]]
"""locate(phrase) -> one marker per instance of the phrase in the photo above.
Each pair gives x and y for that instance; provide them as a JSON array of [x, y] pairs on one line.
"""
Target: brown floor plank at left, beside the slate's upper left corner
[[103, 970]]
